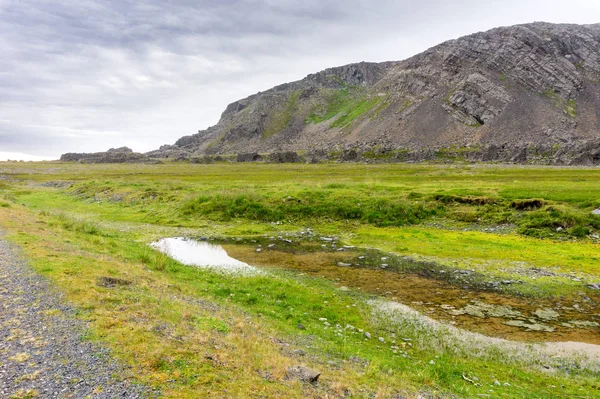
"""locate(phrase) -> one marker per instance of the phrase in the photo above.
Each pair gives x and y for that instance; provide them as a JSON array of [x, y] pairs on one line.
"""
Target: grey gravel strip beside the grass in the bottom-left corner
[[42, 353]]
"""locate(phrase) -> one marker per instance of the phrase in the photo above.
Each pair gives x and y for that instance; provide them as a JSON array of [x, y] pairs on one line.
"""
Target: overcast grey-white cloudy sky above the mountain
[[87, 75]]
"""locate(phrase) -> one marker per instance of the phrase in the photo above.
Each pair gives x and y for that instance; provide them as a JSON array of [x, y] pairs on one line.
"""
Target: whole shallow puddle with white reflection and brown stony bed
[[487, 312]]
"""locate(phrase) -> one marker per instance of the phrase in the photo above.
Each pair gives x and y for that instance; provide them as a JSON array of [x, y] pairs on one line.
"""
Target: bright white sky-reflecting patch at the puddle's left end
[[202, 254]]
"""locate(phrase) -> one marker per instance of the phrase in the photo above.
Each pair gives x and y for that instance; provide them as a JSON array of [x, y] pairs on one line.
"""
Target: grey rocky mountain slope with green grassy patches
[[510, 93]]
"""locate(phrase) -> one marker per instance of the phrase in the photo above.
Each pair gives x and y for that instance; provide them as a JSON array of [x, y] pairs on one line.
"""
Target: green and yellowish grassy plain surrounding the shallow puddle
[[195, 333]]
